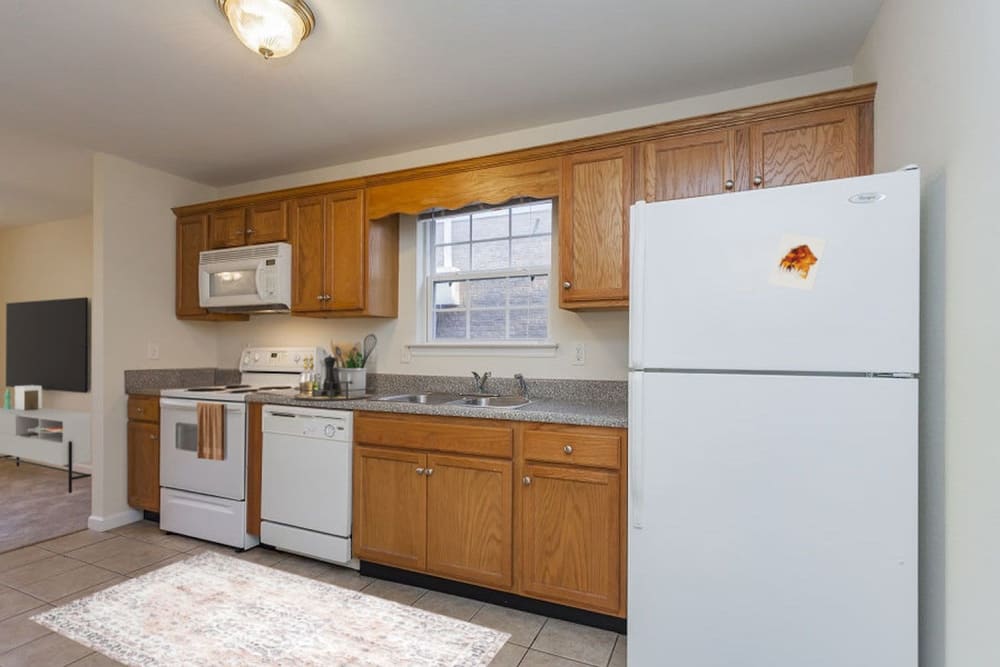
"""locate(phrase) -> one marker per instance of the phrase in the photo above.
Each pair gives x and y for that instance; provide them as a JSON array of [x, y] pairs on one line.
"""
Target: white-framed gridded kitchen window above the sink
[[487, 277]]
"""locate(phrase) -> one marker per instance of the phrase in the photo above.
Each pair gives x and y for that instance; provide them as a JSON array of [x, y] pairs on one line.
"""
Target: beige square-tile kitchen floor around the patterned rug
[[51, 573]]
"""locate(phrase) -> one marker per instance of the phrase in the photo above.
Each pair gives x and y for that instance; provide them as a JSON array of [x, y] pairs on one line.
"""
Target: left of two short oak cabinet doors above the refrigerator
[[690, 165]]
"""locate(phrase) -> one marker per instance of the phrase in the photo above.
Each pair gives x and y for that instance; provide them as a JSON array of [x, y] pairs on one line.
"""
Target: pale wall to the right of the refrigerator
[[939, 89]]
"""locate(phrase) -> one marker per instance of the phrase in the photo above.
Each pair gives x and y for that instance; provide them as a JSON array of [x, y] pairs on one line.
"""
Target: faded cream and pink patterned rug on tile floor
[[215, 610]]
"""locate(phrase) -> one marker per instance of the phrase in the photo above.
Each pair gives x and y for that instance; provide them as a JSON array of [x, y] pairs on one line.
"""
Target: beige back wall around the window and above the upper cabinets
[[605, 335]]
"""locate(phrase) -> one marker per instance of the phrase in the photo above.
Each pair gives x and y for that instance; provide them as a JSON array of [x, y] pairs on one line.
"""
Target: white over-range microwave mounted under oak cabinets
[[254, 278]]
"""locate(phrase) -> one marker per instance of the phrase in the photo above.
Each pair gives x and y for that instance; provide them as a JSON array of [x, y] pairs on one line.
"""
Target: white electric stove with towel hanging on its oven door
[[205, 498]]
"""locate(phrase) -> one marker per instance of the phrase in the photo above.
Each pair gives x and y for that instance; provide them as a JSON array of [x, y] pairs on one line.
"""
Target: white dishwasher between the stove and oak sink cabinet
[[306, 482]]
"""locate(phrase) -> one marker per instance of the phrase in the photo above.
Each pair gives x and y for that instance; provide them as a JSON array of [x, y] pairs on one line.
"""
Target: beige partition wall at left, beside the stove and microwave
[[133, 306]]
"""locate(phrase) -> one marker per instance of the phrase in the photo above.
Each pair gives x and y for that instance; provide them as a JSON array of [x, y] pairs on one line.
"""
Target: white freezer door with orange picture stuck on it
[[815, 277]]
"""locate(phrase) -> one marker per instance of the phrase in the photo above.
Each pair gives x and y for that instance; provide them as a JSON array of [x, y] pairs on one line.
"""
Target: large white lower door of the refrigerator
[[778, 521]]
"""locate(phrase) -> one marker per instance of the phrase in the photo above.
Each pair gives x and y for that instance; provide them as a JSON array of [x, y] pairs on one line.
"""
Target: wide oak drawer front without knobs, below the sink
[[428, 433]]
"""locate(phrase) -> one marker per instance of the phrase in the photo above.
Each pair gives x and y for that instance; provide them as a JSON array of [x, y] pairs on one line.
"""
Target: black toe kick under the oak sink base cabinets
[[496, 597]]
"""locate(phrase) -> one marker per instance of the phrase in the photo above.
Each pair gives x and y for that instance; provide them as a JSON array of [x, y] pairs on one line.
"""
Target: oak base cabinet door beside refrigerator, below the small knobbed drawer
[[569, 519]]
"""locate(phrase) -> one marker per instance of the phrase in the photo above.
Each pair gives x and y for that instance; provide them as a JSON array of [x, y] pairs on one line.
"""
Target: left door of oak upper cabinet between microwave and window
[[308, 254]]
